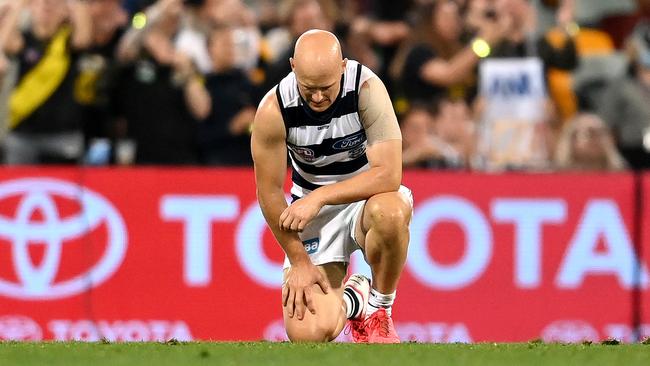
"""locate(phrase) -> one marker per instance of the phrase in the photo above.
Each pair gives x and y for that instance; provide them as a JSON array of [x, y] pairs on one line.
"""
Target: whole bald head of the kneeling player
[[318, 64]]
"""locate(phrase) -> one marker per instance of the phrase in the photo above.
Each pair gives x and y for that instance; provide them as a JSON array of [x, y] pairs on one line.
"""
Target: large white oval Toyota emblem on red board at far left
[[40, 221]]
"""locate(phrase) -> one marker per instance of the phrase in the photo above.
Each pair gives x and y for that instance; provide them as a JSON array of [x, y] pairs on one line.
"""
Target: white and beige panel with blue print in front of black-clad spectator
[[515, 116]]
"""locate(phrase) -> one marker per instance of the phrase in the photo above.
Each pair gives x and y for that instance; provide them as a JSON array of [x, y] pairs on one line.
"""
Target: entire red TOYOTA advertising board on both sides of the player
[[155, 254]]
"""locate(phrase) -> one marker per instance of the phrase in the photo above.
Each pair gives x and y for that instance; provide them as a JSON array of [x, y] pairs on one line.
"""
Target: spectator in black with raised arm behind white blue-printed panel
[[518, 119]]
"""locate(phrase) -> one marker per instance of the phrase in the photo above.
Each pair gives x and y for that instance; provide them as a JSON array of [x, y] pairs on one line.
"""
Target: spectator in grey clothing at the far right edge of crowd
[[625, 103]]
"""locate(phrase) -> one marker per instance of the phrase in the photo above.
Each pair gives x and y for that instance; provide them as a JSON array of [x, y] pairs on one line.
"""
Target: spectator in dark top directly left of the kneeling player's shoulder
[[224, 137]]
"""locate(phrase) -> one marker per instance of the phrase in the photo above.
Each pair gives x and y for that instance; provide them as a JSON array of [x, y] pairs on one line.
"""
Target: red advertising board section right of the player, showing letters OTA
[[553, 255]]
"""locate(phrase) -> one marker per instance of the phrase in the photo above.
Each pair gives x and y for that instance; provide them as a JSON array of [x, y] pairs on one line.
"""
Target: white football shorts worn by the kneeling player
[[329, 237]]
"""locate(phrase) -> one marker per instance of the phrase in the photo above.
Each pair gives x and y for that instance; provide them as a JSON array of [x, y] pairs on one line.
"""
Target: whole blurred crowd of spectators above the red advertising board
[[488, 85]]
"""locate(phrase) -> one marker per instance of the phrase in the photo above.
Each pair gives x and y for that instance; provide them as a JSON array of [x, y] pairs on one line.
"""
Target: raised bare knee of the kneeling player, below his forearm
[[388, 213]]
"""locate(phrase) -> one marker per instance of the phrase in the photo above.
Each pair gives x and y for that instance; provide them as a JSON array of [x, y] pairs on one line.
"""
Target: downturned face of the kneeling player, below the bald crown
[[319, 90]]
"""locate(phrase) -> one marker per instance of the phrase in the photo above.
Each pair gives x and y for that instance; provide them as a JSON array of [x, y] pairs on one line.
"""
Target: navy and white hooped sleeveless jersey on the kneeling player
[[329, 146]]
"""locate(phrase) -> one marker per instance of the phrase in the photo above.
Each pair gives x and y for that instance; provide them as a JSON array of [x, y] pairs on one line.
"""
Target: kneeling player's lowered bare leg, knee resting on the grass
[[330, 316]]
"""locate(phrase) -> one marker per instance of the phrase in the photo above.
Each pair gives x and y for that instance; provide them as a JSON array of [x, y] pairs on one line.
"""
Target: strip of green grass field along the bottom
[[286, 354]]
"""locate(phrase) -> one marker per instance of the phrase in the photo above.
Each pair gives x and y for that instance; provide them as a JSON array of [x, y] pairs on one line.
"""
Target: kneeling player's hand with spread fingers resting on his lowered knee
[[297, 288]]
